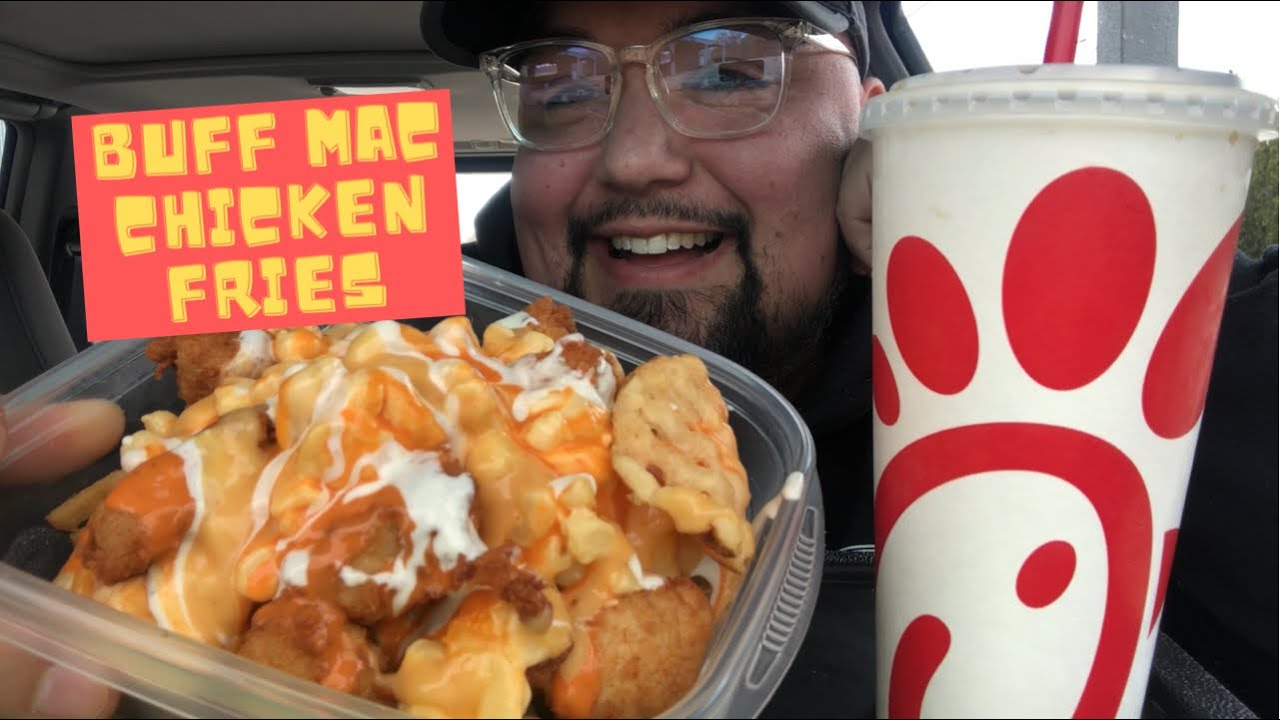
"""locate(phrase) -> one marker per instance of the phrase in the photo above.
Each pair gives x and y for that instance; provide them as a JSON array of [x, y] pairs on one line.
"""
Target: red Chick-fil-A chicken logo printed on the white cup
[[1076, 284]]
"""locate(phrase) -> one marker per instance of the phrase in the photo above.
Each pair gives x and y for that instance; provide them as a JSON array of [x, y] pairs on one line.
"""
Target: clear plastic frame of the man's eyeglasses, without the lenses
[[793, 34]]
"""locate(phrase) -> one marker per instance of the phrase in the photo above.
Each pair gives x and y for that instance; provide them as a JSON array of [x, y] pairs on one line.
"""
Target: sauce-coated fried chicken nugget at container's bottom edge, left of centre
[[313, 640]]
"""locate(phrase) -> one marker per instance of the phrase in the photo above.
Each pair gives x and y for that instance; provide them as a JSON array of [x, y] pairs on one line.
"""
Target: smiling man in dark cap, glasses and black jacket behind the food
[[710, 203]]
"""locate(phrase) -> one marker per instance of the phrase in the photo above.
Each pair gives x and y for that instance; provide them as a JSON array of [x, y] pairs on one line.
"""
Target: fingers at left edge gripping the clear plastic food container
[[81, 434]]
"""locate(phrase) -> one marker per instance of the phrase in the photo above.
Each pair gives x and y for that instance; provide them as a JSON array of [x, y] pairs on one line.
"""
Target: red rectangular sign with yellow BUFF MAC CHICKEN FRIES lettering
[[268, 216]]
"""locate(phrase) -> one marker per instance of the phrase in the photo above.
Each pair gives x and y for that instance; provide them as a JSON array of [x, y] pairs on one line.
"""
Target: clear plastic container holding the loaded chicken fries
[[163, 675]]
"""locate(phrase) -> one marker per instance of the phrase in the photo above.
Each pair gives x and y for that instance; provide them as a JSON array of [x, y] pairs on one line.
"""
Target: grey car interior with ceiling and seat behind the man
[[60, 61]]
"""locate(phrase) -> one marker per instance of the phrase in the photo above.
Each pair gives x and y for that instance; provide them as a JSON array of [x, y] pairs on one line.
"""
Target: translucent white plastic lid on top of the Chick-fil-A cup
[[1146, 94]]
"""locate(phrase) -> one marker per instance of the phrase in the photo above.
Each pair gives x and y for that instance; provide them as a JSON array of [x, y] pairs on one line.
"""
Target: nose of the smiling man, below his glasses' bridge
[[642, 152]]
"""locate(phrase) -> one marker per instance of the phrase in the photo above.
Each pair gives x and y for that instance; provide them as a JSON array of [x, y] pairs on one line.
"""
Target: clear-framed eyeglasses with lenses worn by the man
[[715, 80]]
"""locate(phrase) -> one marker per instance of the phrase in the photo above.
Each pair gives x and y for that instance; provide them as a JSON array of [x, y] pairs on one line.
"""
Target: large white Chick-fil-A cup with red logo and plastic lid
[[1052, 253]]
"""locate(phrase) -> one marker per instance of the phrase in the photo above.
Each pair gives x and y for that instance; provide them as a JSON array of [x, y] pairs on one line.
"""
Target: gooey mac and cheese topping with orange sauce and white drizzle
[[399, 455]]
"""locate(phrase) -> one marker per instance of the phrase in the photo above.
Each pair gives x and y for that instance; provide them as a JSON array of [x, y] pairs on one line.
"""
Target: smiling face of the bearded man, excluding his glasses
[[760, 212]]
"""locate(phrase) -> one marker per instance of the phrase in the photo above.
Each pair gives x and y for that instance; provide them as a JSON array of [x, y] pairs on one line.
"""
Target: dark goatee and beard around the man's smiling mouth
[[781, 345]]
